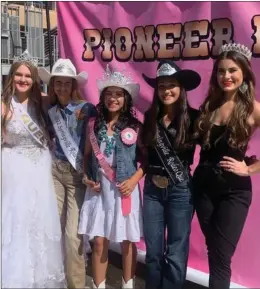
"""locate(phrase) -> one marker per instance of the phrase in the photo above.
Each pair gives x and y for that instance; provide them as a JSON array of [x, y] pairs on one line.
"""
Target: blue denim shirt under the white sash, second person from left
[[76, 127]]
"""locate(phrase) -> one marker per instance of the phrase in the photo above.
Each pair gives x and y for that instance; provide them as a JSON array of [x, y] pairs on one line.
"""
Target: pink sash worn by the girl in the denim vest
[[109, 172]]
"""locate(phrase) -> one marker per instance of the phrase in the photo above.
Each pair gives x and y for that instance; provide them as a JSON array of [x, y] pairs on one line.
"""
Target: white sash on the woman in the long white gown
[[29, 124]]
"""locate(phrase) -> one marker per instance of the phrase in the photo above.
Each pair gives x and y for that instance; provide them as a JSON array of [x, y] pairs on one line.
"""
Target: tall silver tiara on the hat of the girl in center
[[116, 76]]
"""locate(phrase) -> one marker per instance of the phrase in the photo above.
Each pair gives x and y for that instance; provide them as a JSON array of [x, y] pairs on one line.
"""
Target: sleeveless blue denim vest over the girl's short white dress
[[126, 164]]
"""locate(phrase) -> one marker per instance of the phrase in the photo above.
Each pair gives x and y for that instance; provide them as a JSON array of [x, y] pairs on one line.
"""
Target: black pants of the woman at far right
[[222, 214]]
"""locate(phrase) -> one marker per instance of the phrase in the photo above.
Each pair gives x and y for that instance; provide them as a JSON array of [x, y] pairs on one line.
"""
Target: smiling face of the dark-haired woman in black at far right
[[229, 76]]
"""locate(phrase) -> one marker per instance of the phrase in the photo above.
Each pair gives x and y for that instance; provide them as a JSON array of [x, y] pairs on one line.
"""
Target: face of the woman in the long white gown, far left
[[23, 80]]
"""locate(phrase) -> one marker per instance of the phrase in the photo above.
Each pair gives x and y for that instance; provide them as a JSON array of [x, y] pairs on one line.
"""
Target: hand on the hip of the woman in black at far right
[[231, 165]]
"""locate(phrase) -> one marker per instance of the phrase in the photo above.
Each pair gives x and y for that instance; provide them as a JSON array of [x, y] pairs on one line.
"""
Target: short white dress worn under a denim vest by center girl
[[101, 213]]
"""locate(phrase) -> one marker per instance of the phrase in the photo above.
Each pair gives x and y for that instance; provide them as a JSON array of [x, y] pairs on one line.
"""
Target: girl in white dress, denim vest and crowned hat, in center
[[112, 206]]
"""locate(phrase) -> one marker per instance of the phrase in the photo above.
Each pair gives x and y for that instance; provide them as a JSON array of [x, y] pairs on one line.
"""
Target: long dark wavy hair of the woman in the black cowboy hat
[[154, 113]]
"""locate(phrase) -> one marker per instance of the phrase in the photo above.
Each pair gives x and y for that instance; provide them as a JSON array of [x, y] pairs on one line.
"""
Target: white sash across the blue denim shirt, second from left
[[67, 143]]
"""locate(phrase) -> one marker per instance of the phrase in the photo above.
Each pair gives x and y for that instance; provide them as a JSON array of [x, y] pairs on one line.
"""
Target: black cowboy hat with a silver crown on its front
[[187, 78]]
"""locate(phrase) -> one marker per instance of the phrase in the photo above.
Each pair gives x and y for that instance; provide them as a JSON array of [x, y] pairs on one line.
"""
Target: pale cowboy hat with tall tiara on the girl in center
[[118, 79]]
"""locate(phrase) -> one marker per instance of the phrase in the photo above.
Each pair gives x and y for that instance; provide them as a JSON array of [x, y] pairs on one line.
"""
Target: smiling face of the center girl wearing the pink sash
[[114, 98]]
